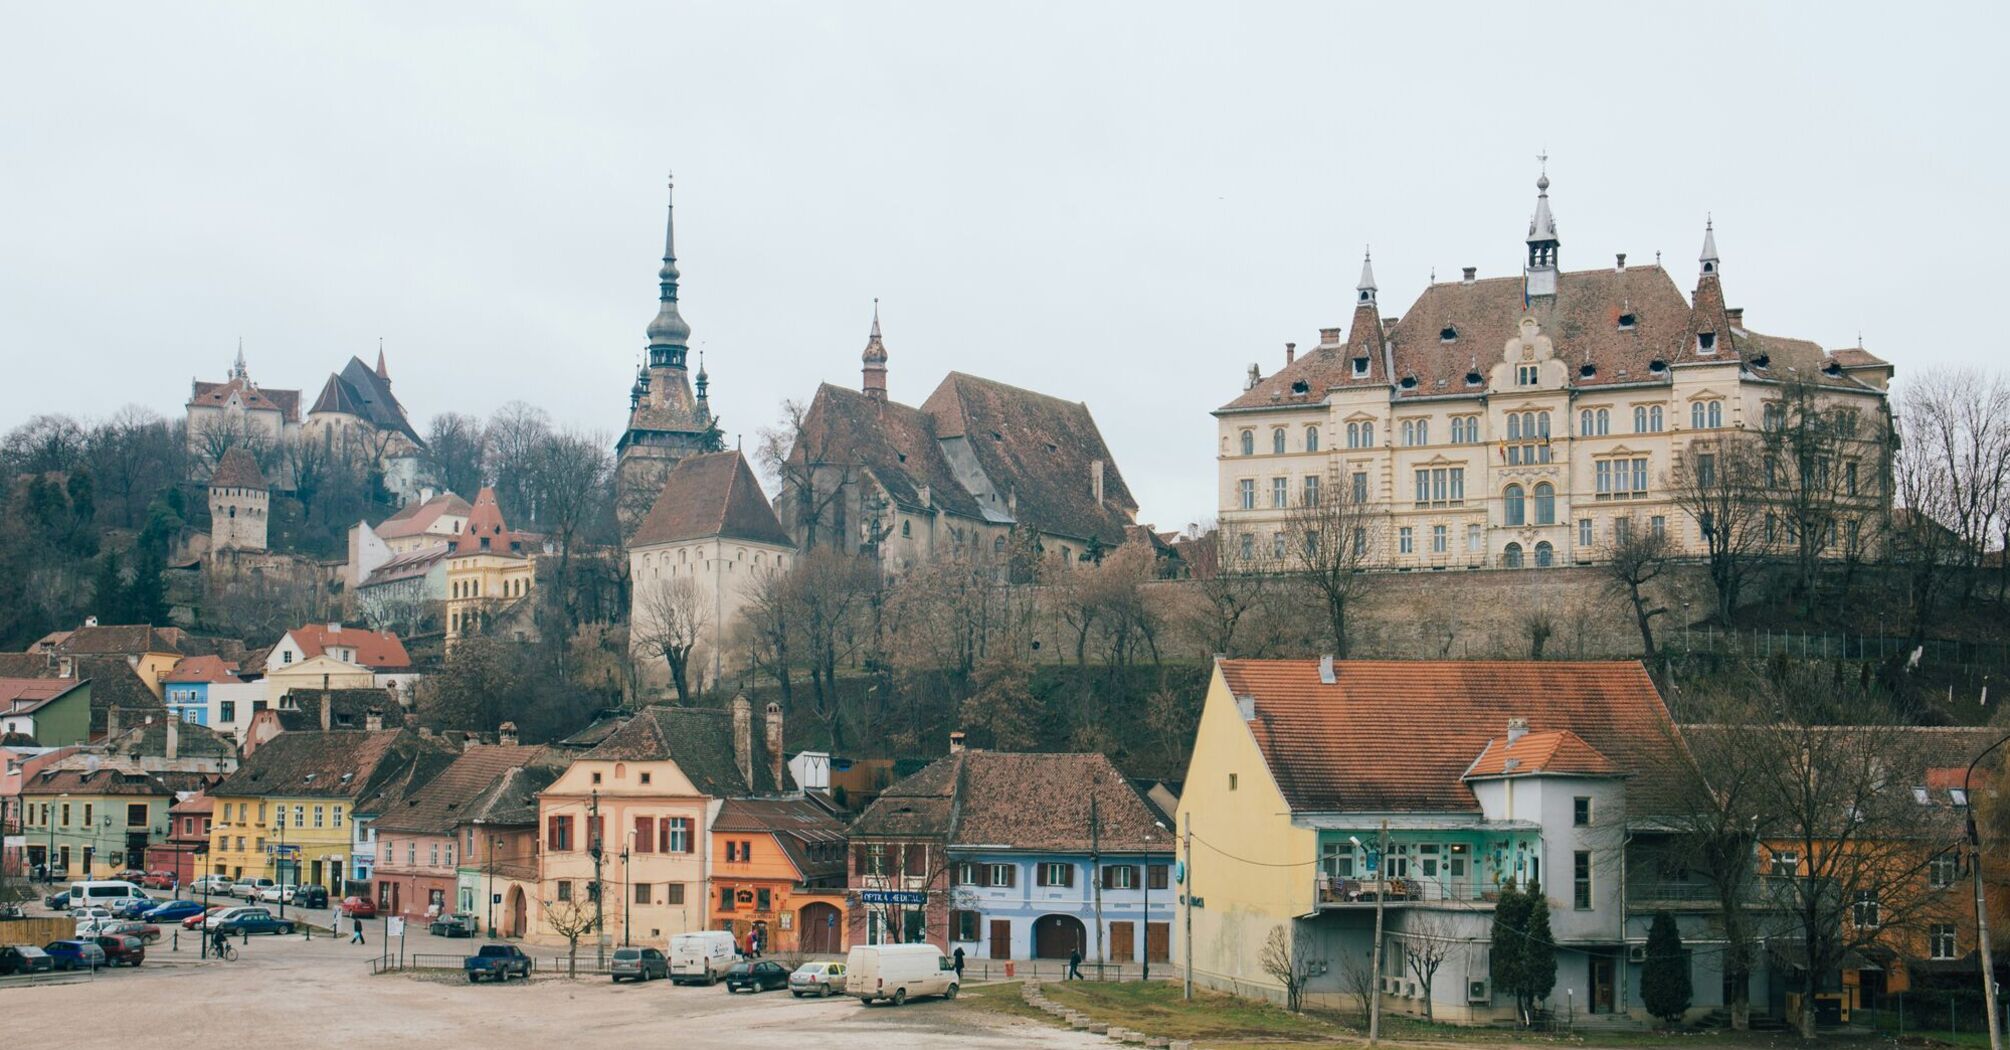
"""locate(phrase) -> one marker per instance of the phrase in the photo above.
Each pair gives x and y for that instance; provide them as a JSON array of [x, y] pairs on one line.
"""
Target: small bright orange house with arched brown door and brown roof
[[779, 876]]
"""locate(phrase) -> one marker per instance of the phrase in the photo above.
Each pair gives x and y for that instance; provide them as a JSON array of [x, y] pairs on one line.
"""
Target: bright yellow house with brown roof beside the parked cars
[[286, 814]]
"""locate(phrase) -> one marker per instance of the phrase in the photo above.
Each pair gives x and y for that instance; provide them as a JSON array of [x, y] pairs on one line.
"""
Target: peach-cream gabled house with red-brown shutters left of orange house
[[628, 828]]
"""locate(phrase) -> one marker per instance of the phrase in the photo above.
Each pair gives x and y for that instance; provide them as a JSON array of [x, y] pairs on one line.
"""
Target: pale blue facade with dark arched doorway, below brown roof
[[1018, 906]]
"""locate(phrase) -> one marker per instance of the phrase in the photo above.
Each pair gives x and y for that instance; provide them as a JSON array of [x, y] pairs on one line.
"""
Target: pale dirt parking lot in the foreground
[[325, 995]]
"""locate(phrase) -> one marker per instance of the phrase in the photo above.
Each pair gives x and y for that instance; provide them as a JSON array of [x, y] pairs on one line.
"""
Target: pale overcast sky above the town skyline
[[1121, 204]]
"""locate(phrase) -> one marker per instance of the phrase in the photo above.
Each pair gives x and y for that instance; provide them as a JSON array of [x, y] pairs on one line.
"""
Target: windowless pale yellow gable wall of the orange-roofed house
[[1247, 862]]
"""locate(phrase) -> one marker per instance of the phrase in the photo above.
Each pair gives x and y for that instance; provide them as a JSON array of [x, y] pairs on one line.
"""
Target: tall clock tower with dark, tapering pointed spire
[[666, 419]]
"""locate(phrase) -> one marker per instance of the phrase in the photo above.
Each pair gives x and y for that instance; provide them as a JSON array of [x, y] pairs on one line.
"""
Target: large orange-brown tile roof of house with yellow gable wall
[[1398, 735]]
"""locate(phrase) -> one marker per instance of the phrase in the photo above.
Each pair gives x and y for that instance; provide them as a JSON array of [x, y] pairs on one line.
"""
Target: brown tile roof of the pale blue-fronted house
[[1018, 802]]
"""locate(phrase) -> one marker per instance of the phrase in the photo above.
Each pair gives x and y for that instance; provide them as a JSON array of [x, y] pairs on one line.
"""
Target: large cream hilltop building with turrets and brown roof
[[1527, 419]]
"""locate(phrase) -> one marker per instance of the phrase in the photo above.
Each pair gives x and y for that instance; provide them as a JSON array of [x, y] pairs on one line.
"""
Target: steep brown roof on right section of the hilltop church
[[1040, 450]]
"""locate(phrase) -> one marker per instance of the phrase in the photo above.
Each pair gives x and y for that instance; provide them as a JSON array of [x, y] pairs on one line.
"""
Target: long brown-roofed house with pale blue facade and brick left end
[[1042, 856]]
